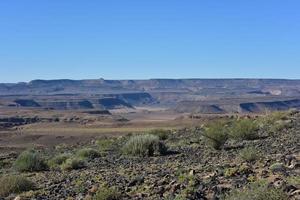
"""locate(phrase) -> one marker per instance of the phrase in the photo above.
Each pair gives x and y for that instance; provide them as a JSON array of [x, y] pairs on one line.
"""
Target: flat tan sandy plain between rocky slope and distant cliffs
[[86, 127]]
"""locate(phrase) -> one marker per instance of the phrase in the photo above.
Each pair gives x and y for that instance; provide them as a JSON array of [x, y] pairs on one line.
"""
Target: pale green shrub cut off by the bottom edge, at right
[[256, 191]]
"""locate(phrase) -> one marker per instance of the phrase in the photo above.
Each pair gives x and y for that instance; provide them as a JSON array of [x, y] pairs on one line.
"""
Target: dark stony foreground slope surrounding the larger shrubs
[[190, 169]]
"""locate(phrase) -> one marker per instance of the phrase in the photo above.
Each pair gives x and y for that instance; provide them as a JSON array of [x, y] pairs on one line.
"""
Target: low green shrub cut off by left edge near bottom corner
[[14, 184]]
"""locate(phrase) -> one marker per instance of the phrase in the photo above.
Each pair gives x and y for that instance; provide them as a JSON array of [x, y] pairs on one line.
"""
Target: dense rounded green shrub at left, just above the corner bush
[[29, 161]]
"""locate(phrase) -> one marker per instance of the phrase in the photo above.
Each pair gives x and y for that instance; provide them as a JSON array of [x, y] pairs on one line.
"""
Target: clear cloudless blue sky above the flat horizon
[[137, 39]]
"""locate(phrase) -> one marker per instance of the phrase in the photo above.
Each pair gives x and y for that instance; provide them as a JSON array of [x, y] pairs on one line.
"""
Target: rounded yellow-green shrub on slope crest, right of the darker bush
[[244, 129]]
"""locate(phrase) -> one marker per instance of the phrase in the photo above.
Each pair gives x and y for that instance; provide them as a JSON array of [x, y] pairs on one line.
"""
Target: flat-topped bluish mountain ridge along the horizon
[[100, 86]]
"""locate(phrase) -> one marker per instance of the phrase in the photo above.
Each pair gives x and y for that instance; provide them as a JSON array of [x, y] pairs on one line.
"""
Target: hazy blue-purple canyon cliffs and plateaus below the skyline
[[181, 95]]
